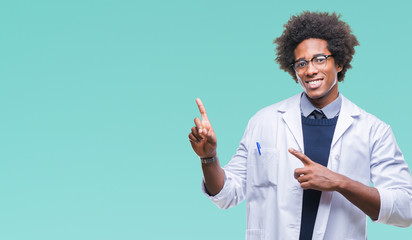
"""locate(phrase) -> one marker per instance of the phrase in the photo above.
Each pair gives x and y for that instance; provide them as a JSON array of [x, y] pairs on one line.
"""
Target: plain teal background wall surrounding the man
[[97, 99]]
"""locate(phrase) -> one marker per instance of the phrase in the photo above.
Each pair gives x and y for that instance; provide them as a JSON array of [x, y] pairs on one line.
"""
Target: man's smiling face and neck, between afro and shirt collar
[[320, 83]]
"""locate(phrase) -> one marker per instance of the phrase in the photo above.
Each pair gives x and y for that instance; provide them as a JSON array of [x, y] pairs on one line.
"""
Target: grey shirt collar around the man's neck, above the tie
[[331, 110]]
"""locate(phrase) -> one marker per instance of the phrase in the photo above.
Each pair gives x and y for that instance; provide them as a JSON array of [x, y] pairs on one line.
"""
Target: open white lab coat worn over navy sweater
[[363, 149]]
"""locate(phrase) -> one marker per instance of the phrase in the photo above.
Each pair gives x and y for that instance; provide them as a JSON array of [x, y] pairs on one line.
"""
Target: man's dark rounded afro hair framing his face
[[320, 25]]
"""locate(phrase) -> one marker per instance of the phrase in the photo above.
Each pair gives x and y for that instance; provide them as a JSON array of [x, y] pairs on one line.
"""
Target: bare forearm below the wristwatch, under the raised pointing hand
[[214, 177]]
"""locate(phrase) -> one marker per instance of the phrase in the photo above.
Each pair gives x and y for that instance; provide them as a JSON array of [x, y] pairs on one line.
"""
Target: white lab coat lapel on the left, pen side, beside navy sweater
[[291, 114]]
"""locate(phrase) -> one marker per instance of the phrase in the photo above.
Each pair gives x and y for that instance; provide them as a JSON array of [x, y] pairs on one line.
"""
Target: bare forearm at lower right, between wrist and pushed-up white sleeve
[[364, 197]]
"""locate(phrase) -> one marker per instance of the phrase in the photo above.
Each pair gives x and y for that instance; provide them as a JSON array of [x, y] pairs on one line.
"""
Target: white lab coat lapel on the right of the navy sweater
[[347, 112]]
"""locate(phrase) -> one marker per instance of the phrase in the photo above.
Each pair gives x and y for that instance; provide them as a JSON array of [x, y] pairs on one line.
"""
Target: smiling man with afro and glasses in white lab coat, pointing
[[304, 165]]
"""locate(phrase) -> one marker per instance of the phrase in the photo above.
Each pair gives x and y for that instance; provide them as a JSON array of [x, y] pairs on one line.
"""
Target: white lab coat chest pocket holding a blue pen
[[263, 167]]
